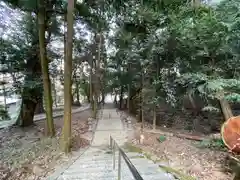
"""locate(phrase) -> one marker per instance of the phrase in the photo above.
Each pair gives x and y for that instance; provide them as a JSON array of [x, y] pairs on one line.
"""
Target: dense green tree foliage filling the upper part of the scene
[[172, 47]]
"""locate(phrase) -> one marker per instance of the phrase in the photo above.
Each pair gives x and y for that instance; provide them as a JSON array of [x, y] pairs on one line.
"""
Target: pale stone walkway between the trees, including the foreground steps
[[96, 163]]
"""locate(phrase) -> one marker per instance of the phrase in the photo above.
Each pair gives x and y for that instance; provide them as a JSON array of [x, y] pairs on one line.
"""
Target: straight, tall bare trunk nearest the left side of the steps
[[66, 132]]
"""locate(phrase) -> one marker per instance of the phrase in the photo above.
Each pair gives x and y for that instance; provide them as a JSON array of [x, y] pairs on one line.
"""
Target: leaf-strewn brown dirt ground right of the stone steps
[[182, 155]]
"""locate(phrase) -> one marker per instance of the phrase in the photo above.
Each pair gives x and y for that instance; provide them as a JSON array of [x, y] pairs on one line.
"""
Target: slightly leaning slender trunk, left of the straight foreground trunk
[[44, 66]]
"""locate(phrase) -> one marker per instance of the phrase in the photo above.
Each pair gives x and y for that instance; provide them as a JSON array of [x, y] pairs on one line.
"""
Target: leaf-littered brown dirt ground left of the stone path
[[25, 153]]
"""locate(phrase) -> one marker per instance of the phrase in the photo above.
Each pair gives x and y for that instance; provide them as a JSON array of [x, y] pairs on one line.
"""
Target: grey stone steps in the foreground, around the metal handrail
[[97, 164]]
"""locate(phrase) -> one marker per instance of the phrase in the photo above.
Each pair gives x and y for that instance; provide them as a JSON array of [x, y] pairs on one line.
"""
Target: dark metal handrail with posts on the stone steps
[[121, 153]]
